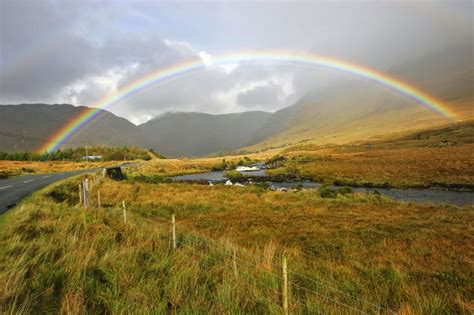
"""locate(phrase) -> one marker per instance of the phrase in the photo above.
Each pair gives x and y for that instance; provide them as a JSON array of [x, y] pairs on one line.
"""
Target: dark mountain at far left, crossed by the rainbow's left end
[[40, 121]]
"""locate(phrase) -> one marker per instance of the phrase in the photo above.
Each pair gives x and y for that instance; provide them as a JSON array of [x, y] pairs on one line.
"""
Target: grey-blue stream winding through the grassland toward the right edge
[[460, 198]]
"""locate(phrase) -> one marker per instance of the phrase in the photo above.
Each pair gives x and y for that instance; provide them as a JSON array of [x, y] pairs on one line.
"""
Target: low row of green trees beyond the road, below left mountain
[[78, 154]]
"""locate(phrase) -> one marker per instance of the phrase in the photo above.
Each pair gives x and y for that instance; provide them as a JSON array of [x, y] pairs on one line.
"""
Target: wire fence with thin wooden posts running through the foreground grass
[[286, 282]]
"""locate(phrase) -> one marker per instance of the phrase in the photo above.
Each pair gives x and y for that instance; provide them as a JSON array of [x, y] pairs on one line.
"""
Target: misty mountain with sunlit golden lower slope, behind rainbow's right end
[[356, 109]]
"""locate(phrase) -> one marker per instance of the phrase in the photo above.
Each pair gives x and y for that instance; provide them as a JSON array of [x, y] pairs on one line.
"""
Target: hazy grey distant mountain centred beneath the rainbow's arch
[[194, 134]]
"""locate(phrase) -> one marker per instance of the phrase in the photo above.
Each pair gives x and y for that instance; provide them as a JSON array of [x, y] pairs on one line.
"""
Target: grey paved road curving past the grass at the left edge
[[12, 190]]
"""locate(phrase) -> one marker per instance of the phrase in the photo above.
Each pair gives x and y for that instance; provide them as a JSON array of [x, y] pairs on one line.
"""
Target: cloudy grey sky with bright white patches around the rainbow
[[76, 52]]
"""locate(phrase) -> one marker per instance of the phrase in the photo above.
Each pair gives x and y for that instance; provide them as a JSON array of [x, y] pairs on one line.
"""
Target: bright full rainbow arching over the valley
[[288, 57]]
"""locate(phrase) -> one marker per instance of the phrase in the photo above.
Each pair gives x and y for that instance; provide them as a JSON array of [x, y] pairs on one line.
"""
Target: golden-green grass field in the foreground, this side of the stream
[[407, 258]]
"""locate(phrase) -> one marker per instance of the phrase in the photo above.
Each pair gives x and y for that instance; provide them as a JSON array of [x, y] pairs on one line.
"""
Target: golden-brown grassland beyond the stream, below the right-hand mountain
[[440, 157]]
